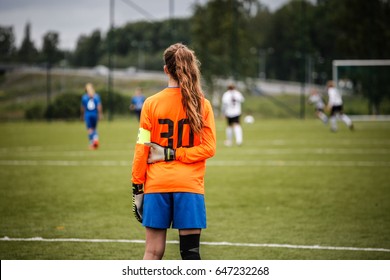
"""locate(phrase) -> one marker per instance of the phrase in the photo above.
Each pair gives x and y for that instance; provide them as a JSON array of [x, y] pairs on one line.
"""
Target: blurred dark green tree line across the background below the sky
[[232, 38]]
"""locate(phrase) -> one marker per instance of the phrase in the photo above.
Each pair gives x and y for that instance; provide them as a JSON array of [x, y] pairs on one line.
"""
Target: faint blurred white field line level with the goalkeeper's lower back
[[212, 162]]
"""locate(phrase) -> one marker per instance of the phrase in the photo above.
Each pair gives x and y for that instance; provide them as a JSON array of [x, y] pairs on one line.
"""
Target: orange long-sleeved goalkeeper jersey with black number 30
[[164, 117]]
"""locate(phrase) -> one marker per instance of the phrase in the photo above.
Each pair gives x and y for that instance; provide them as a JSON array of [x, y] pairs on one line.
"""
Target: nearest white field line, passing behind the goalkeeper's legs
[[288, 246]]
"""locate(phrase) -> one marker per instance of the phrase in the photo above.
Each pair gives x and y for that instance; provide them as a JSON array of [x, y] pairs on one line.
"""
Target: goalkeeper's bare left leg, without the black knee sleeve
[[155, 243]]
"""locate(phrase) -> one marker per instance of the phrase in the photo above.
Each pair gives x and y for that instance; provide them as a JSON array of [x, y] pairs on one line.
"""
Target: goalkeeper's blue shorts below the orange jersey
[[182, 210]]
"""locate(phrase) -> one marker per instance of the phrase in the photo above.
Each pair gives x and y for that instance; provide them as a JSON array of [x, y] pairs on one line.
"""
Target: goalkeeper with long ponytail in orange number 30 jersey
[[176, 136]]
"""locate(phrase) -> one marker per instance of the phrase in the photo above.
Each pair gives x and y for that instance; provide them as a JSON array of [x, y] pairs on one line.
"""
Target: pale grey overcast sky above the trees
[[72, 18]]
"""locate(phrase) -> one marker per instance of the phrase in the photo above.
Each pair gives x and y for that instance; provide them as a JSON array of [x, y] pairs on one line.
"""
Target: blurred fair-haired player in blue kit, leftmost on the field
[[91, 111]]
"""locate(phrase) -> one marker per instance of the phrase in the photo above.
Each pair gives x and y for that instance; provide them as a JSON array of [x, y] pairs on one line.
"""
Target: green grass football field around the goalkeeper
[[292, 182]]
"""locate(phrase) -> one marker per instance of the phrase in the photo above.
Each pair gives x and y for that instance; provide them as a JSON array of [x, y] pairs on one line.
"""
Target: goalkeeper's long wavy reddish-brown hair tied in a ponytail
[[183, 66]]
